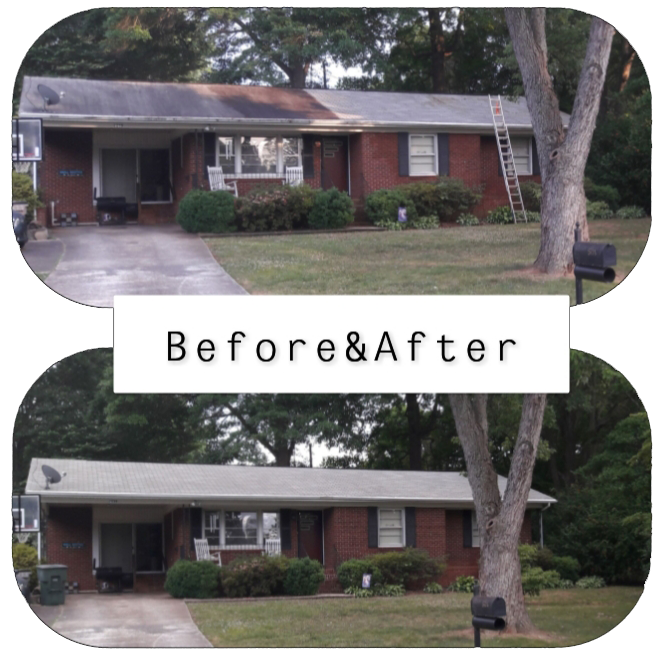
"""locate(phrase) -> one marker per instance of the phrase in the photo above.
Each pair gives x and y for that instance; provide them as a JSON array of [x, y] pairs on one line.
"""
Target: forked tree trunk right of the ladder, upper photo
[[562, 155]]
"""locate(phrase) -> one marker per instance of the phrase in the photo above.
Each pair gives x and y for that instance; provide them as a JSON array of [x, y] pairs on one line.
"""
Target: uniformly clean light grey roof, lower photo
[[146, 481]]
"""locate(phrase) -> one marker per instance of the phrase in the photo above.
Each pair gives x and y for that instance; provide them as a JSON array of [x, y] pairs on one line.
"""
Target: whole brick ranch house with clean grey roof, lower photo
[[144, 517]]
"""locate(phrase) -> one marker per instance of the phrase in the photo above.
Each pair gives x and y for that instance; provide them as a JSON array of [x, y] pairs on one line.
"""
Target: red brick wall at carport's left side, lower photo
[[71, 525]]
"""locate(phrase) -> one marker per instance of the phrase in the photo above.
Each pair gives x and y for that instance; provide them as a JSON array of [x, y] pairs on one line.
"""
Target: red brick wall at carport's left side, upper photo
[[66, 149]]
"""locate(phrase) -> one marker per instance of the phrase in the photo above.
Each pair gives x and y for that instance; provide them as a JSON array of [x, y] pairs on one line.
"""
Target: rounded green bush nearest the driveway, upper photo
[[207, 212]]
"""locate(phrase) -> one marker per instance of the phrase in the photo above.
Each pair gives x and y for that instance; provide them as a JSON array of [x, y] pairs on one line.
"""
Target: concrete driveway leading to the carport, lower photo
[[124, 621]]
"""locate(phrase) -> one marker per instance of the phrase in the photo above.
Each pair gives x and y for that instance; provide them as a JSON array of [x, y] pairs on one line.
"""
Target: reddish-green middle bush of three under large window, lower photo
[[255, 576]]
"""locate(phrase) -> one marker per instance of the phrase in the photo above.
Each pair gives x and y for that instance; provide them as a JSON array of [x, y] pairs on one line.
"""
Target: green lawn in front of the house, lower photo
[[563, 618]]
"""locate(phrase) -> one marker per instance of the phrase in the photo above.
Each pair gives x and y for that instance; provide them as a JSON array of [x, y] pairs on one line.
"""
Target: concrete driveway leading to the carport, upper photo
[[100, 262]]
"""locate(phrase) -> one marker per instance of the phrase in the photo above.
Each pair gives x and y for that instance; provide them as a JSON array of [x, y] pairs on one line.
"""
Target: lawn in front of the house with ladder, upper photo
[[486, 260]]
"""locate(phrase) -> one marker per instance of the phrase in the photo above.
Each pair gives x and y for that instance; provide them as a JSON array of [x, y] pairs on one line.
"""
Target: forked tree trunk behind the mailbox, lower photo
[[500, 521]]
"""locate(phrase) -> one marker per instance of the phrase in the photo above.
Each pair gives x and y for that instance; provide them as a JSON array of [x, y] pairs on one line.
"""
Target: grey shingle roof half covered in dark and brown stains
[[150, 102]]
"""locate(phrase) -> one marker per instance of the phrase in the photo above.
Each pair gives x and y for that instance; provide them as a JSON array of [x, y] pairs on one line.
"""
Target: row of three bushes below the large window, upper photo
[[275, 208]]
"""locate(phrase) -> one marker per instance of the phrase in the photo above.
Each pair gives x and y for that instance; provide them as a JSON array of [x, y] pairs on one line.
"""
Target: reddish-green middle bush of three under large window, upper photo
[[276, 208]]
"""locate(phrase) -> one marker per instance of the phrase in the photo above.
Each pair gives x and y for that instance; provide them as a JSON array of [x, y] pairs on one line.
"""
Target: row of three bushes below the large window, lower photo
[[254, 576]]
